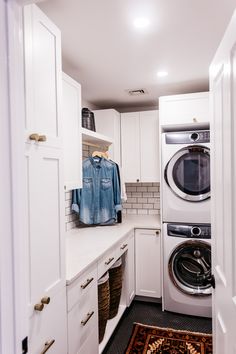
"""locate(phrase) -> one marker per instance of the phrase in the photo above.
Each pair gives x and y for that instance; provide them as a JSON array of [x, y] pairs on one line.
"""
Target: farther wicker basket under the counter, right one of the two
[[115, 283]]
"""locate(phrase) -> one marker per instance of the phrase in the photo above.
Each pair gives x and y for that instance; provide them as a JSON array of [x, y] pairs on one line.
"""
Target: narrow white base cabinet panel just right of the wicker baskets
[[131, 270]]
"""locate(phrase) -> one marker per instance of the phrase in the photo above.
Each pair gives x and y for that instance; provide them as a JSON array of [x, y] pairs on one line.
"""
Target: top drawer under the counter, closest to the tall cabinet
[[81, 289]]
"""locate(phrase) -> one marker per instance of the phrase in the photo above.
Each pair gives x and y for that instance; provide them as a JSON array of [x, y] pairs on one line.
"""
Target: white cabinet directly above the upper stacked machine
[[190, 110]]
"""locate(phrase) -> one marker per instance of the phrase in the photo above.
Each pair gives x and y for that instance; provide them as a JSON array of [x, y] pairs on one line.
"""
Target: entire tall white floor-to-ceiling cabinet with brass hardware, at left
[[45, 195]]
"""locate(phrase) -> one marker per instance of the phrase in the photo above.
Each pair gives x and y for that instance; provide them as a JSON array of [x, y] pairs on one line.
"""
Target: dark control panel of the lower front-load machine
[[202, 231]]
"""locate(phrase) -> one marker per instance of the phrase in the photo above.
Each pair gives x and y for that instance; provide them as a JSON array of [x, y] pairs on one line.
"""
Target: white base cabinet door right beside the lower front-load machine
[[148, 263]]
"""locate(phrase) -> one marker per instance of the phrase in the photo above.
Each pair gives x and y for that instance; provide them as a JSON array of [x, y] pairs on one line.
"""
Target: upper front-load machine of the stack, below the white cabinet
[[186, 176]]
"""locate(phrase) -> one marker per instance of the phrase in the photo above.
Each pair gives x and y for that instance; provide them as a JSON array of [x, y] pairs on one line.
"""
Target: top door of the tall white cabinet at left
[[42, 76]]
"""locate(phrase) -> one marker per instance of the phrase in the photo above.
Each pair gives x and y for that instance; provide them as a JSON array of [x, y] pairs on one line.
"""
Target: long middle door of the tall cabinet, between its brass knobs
[[46, 222]]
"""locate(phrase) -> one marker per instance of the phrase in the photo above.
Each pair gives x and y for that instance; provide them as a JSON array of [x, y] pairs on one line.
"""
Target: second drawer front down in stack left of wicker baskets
[[82, 320]]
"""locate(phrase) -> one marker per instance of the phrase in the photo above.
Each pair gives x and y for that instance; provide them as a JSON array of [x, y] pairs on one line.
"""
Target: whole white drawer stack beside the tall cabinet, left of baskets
[[82, 306]]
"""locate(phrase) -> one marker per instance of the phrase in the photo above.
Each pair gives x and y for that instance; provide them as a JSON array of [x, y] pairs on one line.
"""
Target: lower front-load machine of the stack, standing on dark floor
[[187, 278]]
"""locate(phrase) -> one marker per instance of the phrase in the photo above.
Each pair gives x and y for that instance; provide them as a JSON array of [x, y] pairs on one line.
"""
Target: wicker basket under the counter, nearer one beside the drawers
[[103, 304]]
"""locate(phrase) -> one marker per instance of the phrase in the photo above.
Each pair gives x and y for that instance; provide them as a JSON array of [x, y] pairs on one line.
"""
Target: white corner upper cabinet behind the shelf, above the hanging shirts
[[107, 122]]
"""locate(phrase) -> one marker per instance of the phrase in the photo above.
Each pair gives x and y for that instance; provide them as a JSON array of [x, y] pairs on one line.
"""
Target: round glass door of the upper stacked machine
[[188, 173]]
